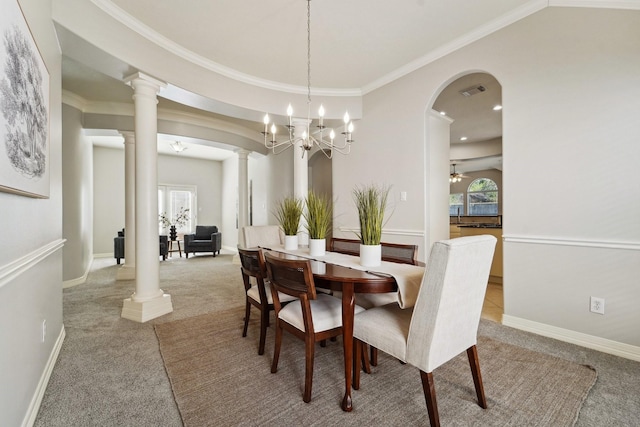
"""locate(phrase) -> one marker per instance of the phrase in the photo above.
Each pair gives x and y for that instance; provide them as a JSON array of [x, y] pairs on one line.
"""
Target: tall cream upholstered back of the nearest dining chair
[[448, 308]]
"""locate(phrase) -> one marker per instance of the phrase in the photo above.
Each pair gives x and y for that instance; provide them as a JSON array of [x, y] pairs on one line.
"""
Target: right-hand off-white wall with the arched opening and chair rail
[[570, 83]]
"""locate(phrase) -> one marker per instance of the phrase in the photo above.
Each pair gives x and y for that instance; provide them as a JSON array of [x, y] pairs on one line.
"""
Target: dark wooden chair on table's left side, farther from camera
[[258, 293]]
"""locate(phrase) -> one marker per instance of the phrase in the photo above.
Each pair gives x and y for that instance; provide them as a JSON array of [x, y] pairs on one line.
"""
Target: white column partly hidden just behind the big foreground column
[[128, 270]]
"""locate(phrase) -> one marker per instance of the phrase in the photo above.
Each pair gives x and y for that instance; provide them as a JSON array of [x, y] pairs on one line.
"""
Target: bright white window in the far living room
[[172, 198]]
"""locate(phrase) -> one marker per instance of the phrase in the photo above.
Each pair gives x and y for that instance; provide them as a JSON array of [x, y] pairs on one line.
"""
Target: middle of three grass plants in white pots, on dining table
[[318, 216]]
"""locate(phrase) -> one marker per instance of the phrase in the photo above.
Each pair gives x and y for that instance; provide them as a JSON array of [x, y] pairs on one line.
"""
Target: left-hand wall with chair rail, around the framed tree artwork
[[31, 257]]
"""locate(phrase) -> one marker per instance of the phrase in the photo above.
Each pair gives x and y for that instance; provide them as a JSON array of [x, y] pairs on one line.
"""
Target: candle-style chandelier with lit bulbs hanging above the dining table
[[309, 137]]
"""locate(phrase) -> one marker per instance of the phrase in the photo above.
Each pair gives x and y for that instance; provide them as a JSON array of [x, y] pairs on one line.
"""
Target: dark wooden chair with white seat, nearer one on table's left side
[[317, 317]]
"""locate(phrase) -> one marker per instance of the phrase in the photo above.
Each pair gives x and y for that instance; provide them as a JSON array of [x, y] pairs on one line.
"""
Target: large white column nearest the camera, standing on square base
[[148, 301]]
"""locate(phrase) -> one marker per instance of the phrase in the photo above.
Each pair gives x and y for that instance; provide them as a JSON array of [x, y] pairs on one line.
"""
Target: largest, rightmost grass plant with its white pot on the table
[[371, 201]]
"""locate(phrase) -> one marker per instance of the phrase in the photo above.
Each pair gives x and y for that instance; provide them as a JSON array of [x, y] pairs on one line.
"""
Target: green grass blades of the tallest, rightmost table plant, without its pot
[[371, 201]]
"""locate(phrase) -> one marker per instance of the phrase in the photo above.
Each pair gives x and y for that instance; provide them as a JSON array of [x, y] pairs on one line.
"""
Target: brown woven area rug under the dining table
[[218, 379]]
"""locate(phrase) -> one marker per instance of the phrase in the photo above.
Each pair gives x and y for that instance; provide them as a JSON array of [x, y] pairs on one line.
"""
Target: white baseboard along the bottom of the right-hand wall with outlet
[[589, 341]]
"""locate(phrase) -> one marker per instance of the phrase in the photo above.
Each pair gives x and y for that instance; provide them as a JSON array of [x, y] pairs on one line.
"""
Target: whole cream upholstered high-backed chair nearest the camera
[[443, 322]]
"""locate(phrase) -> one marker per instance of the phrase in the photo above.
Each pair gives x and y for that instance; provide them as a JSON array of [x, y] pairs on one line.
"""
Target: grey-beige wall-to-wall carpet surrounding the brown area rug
[[110, 371]]
